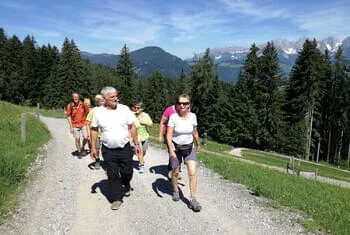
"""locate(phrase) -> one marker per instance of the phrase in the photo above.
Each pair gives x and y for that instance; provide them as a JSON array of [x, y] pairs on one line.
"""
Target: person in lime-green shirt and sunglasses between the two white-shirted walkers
[[142, 122]]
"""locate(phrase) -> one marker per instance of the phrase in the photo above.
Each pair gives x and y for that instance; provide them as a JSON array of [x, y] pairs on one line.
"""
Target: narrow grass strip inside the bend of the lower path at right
[[274, 160]]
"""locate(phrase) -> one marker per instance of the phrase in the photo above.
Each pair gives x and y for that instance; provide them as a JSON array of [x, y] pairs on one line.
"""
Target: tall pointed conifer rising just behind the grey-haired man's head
[[126, 74]]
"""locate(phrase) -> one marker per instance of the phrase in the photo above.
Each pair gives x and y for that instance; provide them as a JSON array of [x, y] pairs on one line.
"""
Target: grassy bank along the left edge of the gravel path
[[15, 155]]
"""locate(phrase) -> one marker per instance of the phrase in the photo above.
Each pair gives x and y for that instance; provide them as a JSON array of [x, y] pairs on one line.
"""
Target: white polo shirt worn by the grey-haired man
[[113, 124]]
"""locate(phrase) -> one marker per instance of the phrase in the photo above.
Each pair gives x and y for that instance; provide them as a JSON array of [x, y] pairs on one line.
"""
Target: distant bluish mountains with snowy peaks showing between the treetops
[[229, 60]]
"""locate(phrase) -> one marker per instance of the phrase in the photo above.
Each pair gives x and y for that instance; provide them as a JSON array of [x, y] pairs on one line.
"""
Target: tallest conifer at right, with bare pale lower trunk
[[304, 90]]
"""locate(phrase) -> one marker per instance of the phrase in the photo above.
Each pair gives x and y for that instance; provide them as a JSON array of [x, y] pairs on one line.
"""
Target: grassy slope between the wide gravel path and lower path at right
[[328, 205]]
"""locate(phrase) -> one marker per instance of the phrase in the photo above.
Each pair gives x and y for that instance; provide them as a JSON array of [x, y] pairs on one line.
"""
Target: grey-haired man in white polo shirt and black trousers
[[115, 121]]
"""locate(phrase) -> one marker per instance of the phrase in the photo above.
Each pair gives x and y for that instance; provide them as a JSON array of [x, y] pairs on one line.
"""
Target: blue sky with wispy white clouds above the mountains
[[181, 27]]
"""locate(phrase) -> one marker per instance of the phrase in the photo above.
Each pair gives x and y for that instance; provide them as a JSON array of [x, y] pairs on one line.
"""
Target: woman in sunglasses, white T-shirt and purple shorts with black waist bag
[[182, 131]]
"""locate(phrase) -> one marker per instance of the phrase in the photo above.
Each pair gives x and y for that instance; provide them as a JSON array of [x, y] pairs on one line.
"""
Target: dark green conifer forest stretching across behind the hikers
[[307, 116]]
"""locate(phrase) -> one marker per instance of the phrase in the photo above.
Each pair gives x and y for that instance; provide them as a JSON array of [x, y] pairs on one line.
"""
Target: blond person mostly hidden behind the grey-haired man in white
[[99, 100]]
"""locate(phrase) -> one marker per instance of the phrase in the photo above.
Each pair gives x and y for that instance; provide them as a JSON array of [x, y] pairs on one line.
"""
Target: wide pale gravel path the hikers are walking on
[[60, 200]]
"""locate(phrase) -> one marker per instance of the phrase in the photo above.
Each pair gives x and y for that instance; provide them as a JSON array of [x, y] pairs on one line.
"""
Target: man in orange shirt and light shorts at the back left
[[76, 115]]
